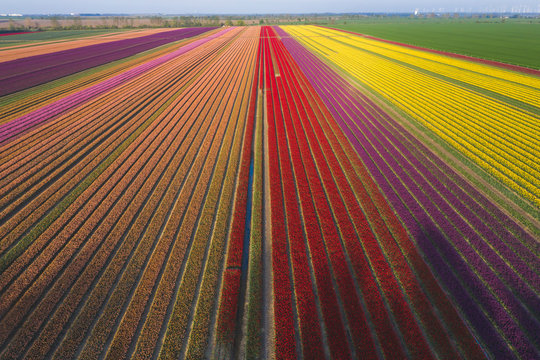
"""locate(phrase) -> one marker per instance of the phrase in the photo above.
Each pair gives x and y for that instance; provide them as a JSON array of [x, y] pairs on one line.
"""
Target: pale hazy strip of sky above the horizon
[[259, 6]]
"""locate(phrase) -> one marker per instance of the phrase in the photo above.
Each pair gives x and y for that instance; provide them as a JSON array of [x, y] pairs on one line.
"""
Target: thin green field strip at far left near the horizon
[[51, 36]]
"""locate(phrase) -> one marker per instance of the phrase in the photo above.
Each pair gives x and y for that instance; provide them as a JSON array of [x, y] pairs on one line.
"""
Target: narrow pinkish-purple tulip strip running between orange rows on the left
[[14, 128]]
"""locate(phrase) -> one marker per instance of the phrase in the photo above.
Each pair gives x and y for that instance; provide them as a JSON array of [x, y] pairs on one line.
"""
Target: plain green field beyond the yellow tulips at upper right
[[513, 41]]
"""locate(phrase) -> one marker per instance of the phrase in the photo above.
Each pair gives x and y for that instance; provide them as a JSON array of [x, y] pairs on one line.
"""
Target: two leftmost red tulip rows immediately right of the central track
[[293, 292]]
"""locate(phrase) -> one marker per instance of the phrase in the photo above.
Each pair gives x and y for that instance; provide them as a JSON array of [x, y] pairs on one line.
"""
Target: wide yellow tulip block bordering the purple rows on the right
[[499, 137]]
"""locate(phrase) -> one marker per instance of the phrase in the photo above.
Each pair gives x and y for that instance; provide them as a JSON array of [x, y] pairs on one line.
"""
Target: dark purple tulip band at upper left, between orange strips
[[20, 74]]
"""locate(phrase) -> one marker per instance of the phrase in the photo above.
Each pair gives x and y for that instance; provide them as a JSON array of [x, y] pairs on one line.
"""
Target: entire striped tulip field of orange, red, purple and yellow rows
[[266, 192]]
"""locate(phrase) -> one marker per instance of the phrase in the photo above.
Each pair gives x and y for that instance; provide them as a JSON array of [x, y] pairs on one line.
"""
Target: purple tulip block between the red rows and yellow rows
[[433, 202]]
